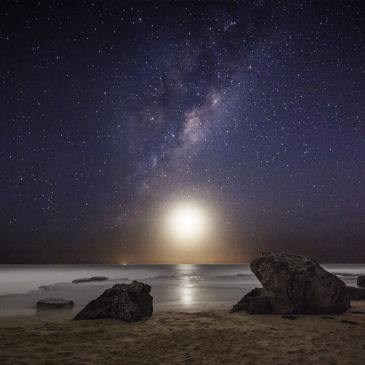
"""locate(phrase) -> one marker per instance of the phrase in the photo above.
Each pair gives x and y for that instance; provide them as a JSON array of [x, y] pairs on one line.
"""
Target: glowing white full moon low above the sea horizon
[[187, 222]]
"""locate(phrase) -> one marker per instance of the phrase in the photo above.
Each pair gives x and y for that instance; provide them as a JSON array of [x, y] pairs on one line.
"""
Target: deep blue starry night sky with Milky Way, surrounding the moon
[[110, 111]]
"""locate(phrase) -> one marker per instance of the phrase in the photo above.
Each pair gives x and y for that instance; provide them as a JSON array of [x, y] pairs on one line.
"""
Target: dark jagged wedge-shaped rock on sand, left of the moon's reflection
[[127, 302]]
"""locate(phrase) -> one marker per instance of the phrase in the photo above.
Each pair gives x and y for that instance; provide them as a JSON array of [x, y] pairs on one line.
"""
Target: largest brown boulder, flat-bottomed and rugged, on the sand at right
[[296, 285]]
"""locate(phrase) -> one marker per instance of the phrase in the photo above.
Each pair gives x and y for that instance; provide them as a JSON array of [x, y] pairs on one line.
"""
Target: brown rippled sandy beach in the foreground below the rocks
[[205, 337]]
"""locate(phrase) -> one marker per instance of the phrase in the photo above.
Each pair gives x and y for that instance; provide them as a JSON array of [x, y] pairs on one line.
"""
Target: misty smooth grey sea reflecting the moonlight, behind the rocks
[[174, 287]]
